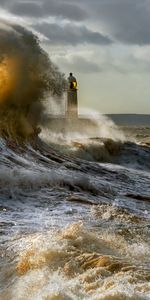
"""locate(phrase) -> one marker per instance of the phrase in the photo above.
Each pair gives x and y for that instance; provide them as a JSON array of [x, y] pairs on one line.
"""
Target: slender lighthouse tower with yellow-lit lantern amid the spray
[[72, 98]]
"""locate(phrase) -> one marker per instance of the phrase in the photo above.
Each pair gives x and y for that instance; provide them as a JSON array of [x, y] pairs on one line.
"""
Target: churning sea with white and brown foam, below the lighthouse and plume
[[75, 216]]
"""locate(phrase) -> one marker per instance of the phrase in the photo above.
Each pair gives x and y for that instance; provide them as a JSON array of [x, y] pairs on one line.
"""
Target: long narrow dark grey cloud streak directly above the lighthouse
[[71, 34]]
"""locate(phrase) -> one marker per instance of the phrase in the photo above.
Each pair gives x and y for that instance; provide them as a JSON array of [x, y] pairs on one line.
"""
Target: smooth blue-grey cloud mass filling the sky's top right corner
[[128, 21]]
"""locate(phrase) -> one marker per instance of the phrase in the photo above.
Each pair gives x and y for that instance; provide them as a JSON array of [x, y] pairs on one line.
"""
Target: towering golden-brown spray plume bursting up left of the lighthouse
[[27, 76]]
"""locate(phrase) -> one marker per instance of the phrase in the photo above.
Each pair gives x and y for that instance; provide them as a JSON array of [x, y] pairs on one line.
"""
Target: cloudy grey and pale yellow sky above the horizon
[[105, 43]]
